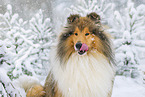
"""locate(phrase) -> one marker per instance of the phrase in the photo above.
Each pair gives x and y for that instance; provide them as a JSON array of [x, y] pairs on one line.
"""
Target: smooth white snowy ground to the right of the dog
[[127, 87]]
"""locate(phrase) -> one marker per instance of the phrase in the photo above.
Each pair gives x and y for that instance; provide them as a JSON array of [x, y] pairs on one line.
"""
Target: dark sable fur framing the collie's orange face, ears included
[[81, 23]]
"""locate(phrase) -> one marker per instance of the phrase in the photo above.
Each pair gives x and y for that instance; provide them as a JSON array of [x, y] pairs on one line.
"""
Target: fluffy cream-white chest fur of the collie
[[84, 76]]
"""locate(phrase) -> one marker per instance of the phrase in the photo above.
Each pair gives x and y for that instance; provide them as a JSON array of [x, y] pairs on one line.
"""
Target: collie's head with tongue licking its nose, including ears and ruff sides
[[83, 35]]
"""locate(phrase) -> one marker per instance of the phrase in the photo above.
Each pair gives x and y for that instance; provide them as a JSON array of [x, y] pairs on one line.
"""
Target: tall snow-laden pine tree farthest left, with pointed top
[[14, 37]]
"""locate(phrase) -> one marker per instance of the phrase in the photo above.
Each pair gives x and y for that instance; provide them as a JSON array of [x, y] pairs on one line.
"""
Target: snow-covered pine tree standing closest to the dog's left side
[[42, 36]]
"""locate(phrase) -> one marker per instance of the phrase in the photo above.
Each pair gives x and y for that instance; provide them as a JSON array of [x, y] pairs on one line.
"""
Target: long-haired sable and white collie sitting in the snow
[[82, 63]]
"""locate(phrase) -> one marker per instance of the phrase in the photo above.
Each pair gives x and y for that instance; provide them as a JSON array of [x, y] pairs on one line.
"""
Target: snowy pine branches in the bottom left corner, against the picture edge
[[7, 88]]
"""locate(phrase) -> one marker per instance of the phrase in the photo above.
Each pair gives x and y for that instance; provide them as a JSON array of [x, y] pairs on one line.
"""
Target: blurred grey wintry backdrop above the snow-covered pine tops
[[27, 8]]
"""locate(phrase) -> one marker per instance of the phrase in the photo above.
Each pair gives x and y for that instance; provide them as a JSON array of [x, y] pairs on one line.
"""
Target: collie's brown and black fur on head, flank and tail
[[80, 25]]
